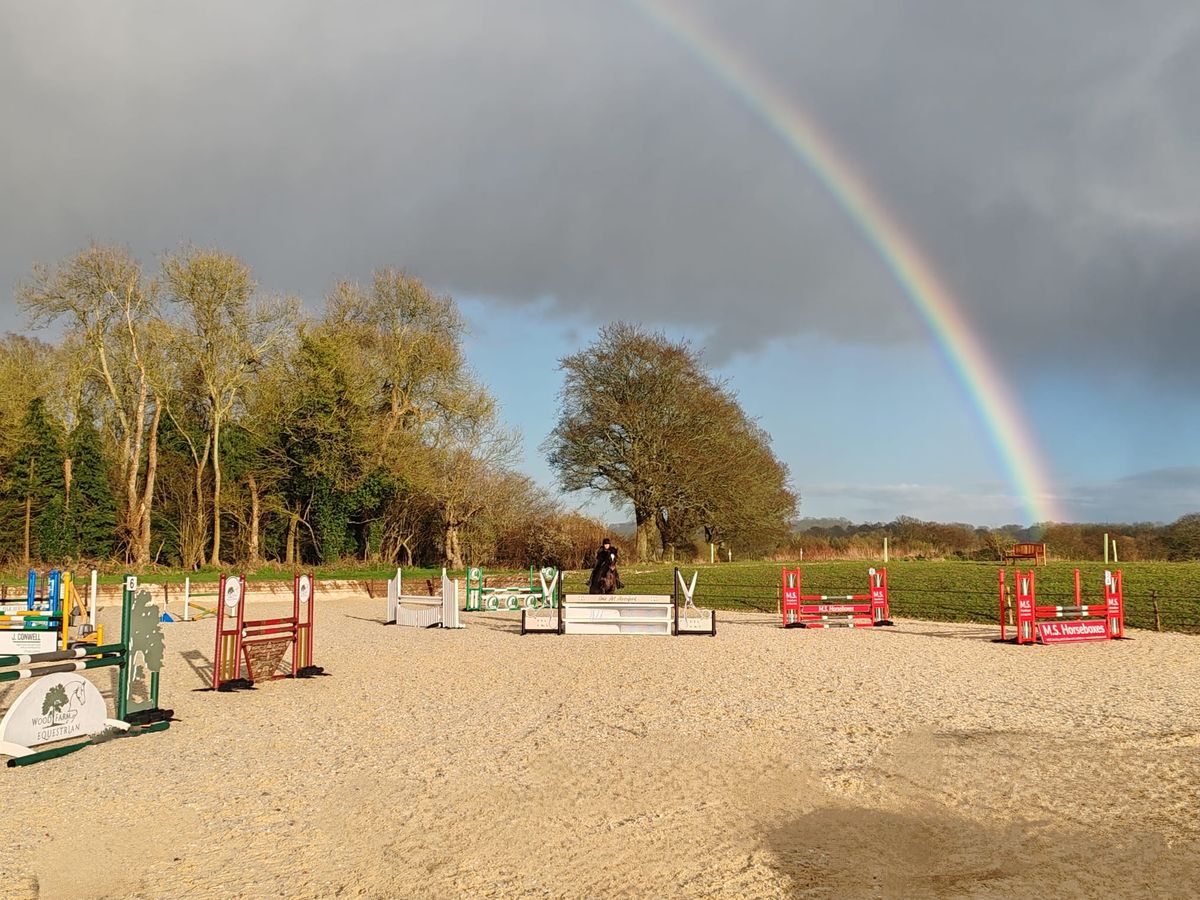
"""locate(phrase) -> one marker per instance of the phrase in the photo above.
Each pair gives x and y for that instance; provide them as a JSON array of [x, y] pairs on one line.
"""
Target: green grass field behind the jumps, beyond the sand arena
[[937, 591]]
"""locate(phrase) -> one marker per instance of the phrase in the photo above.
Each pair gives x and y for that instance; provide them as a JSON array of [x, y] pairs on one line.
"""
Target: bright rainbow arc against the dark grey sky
[[931, 298]]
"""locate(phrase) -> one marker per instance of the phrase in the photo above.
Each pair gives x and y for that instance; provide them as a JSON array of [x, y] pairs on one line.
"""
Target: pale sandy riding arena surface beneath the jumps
[[917, 761]]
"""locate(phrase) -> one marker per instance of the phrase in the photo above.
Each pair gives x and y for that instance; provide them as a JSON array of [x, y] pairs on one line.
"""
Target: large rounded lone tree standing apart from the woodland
[[643, 422]]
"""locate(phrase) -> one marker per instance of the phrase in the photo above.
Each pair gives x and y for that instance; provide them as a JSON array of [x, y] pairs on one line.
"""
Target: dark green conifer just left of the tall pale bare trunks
[[92, 507]]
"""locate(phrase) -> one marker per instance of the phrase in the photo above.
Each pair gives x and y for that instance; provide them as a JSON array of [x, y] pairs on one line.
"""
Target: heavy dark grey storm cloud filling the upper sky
[[1046, 155]]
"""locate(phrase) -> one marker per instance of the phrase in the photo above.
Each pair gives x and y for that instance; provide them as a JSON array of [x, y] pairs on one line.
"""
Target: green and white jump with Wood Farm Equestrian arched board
[[63, 705]]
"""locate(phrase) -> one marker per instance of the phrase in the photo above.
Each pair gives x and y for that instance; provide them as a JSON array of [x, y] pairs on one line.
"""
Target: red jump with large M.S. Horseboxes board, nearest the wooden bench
[[1076, 623]]
